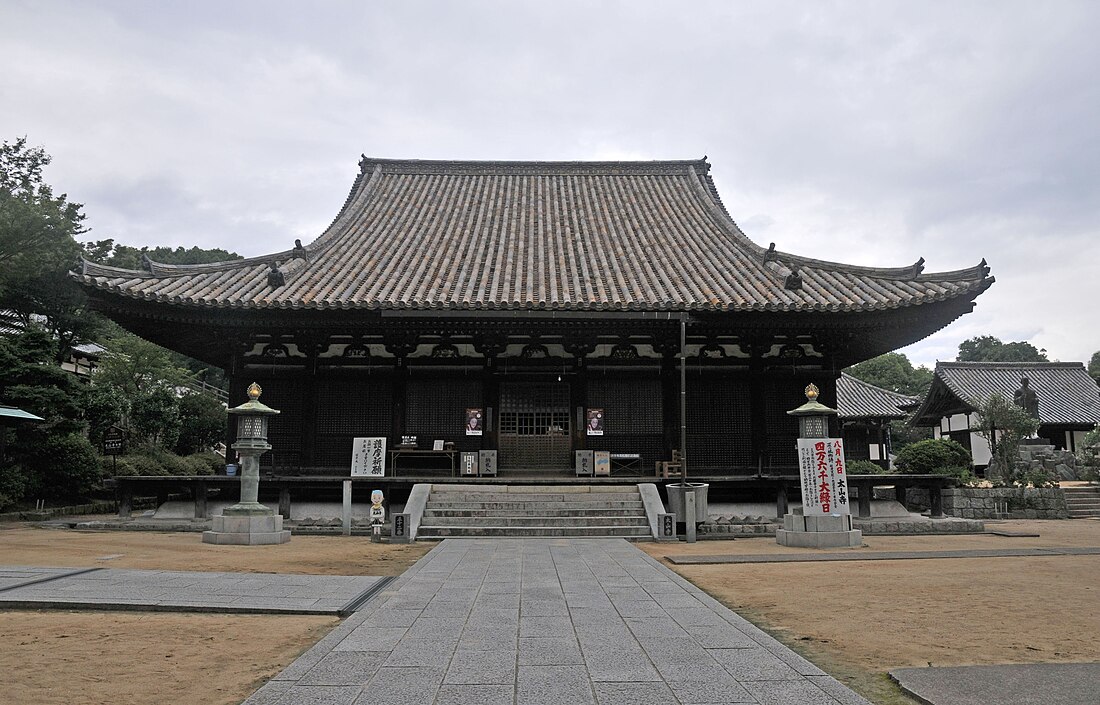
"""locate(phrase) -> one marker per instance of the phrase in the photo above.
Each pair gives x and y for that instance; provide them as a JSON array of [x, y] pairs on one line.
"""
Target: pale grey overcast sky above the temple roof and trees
[[863, 133]]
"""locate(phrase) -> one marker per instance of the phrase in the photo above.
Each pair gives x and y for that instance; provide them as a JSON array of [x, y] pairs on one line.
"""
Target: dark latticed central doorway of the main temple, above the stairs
[[535, 431]]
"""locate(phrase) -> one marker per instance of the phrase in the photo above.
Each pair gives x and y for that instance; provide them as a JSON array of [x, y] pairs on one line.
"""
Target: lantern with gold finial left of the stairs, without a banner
[[249, 523]]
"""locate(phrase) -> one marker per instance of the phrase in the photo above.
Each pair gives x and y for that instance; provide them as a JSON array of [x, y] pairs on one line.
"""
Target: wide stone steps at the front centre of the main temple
[[534, 511]]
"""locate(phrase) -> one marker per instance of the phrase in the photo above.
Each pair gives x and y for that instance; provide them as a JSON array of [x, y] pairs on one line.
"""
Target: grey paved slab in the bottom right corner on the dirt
[[1021, 685]]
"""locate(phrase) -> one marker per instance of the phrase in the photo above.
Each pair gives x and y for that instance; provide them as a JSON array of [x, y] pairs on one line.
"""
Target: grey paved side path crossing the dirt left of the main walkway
[[265, 593]]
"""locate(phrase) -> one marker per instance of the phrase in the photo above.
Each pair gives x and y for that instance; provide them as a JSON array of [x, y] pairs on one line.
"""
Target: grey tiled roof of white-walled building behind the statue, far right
[[1065, 392]]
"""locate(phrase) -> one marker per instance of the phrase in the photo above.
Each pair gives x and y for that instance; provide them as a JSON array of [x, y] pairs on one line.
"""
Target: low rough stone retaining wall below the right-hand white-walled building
[[992, 503]]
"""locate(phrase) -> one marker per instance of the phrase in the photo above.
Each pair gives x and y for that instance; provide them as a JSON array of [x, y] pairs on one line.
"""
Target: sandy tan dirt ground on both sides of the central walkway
[[855, 620]]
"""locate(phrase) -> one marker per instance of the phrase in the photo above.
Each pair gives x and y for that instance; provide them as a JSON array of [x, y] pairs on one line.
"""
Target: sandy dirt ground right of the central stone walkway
[[861, 620]]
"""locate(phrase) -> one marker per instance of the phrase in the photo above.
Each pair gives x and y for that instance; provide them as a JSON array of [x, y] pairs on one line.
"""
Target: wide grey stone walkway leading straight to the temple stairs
[[523, 622]]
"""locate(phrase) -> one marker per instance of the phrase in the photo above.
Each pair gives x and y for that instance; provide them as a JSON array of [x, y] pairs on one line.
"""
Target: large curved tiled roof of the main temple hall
[[600, 236]]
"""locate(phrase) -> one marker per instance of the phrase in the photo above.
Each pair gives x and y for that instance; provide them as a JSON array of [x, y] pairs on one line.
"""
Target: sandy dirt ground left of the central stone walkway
[[85, 658]]
